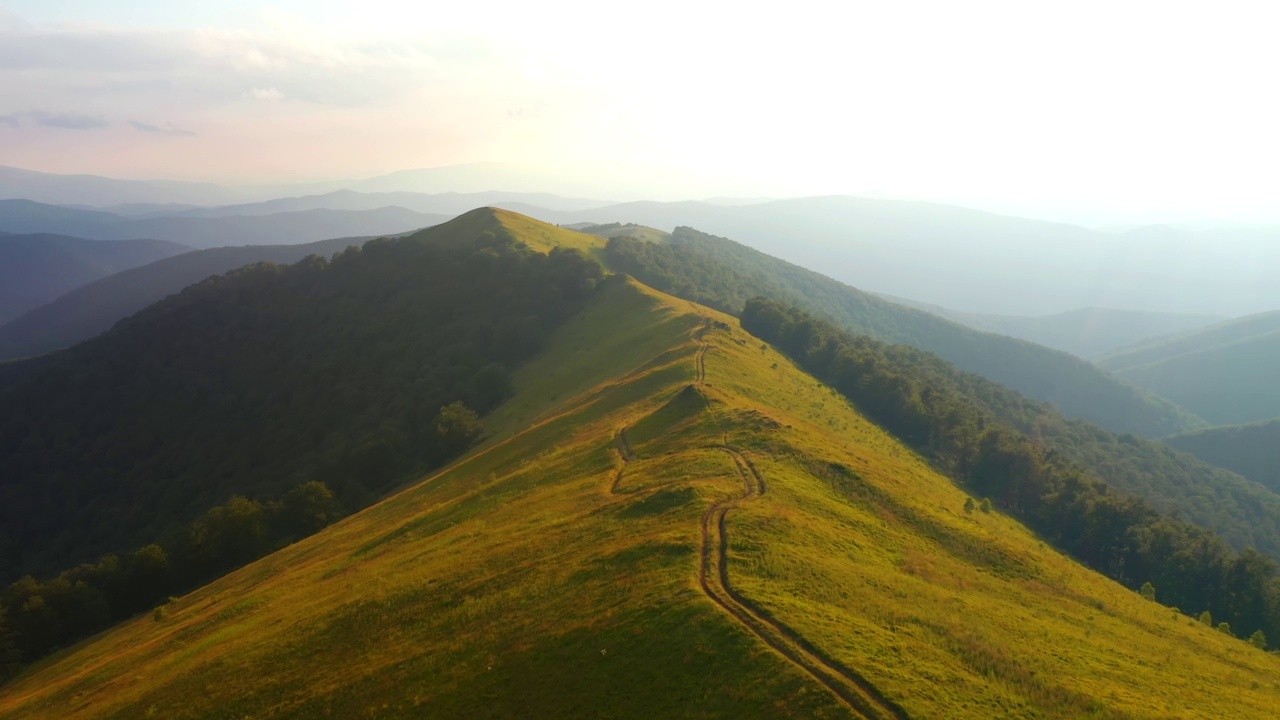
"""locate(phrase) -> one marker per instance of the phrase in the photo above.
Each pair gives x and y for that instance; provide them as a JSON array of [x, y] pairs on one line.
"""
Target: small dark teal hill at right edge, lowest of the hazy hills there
[[1251, 450]]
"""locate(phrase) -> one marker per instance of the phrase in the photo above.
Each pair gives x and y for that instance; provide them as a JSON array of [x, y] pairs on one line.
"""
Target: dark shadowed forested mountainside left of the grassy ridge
[[269, 377]]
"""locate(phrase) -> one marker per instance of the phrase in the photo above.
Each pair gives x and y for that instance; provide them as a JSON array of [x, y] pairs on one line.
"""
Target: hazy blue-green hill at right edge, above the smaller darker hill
[[1224, 373]]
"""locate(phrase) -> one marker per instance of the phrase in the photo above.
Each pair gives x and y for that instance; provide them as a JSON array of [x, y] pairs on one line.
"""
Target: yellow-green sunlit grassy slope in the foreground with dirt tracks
[[670, 521]]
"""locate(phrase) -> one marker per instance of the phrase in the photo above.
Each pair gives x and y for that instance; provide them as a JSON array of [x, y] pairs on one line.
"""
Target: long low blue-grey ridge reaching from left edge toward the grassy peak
[[281, 229]]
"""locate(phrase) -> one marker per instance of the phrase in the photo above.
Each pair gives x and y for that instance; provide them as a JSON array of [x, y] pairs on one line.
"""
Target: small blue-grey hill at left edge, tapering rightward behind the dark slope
[[38, 268]]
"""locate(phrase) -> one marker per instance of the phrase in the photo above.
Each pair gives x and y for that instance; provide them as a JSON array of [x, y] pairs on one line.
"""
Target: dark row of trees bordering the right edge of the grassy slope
[[934, 408]]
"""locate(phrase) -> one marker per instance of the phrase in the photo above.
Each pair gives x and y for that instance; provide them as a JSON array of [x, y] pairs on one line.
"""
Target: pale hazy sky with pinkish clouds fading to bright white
[[1092, 112]]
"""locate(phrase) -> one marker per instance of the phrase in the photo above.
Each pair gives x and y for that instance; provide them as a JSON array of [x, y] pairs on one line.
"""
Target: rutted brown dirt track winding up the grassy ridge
[[858, 694]]
